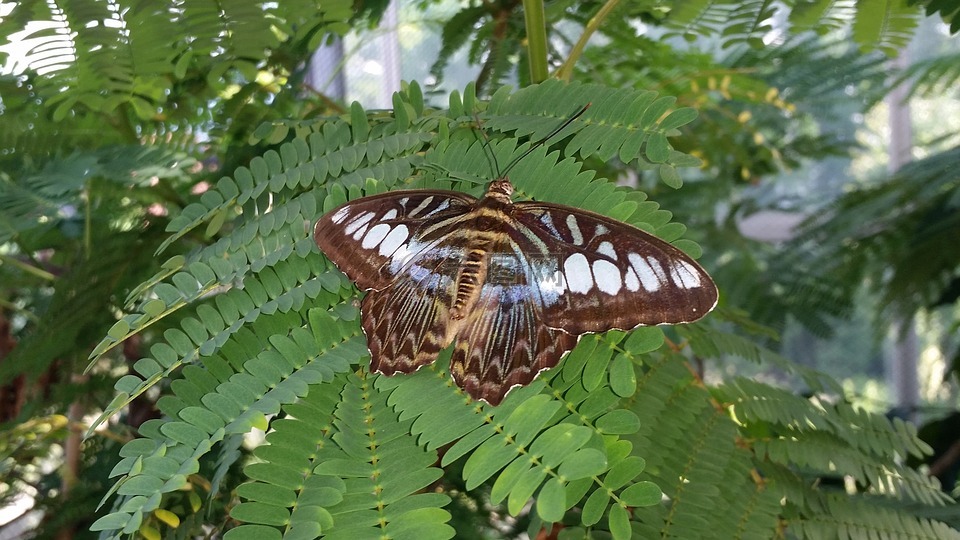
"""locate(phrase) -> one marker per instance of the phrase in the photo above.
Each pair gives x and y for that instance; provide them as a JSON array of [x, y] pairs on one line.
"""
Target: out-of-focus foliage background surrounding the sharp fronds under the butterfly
[[106, 133]]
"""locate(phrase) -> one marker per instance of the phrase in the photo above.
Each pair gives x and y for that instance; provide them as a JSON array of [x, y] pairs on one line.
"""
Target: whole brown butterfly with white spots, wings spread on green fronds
[[513, 284]]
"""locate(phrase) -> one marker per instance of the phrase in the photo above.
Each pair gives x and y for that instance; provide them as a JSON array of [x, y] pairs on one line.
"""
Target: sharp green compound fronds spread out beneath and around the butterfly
[[593, 441]]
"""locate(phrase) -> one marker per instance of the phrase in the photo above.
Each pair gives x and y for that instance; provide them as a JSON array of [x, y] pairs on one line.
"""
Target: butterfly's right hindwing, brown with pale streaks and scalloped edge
[[504, 342]]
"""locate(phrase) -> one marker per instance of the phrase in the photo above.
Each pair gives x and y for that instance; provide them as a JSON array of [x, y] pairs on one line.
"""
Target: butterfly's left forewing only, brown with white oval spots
[[372, 239]]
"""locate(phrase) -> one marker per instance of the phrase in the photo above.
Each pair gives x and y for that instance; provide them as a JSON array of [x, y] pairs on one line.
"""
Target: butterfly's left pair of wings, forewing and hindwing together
[[402, 247]]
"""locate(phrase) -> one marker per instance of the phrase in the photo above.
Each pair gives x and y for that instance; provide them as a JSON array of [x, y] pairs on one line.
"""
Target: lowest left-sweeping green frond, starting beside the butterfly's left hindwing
[[202, 411]]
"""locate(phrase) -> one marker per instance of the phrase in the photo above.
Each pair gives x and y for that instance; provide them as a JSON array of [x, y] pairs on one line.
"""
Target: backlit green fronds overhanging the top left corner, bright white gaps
[[122, 56]]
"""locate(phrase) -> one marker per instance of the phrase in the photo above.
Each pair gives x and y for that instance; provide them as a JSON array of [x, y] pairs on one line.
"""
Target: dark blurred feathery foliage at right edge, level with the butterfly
[[879, 232]]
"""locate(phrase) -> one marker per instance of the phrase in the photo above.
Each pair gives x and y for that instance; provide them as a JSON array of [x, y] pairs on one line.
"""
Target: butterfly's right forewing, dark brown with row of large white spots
[[597, 274]]
